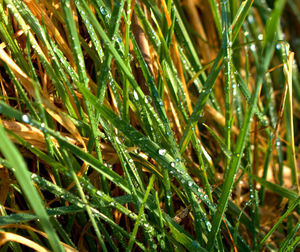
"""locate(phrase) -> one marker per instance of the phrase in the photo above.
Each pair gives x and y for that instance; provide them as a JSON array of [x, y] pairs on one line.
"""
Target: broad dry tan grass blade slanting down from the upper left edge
[[26, 82]]
